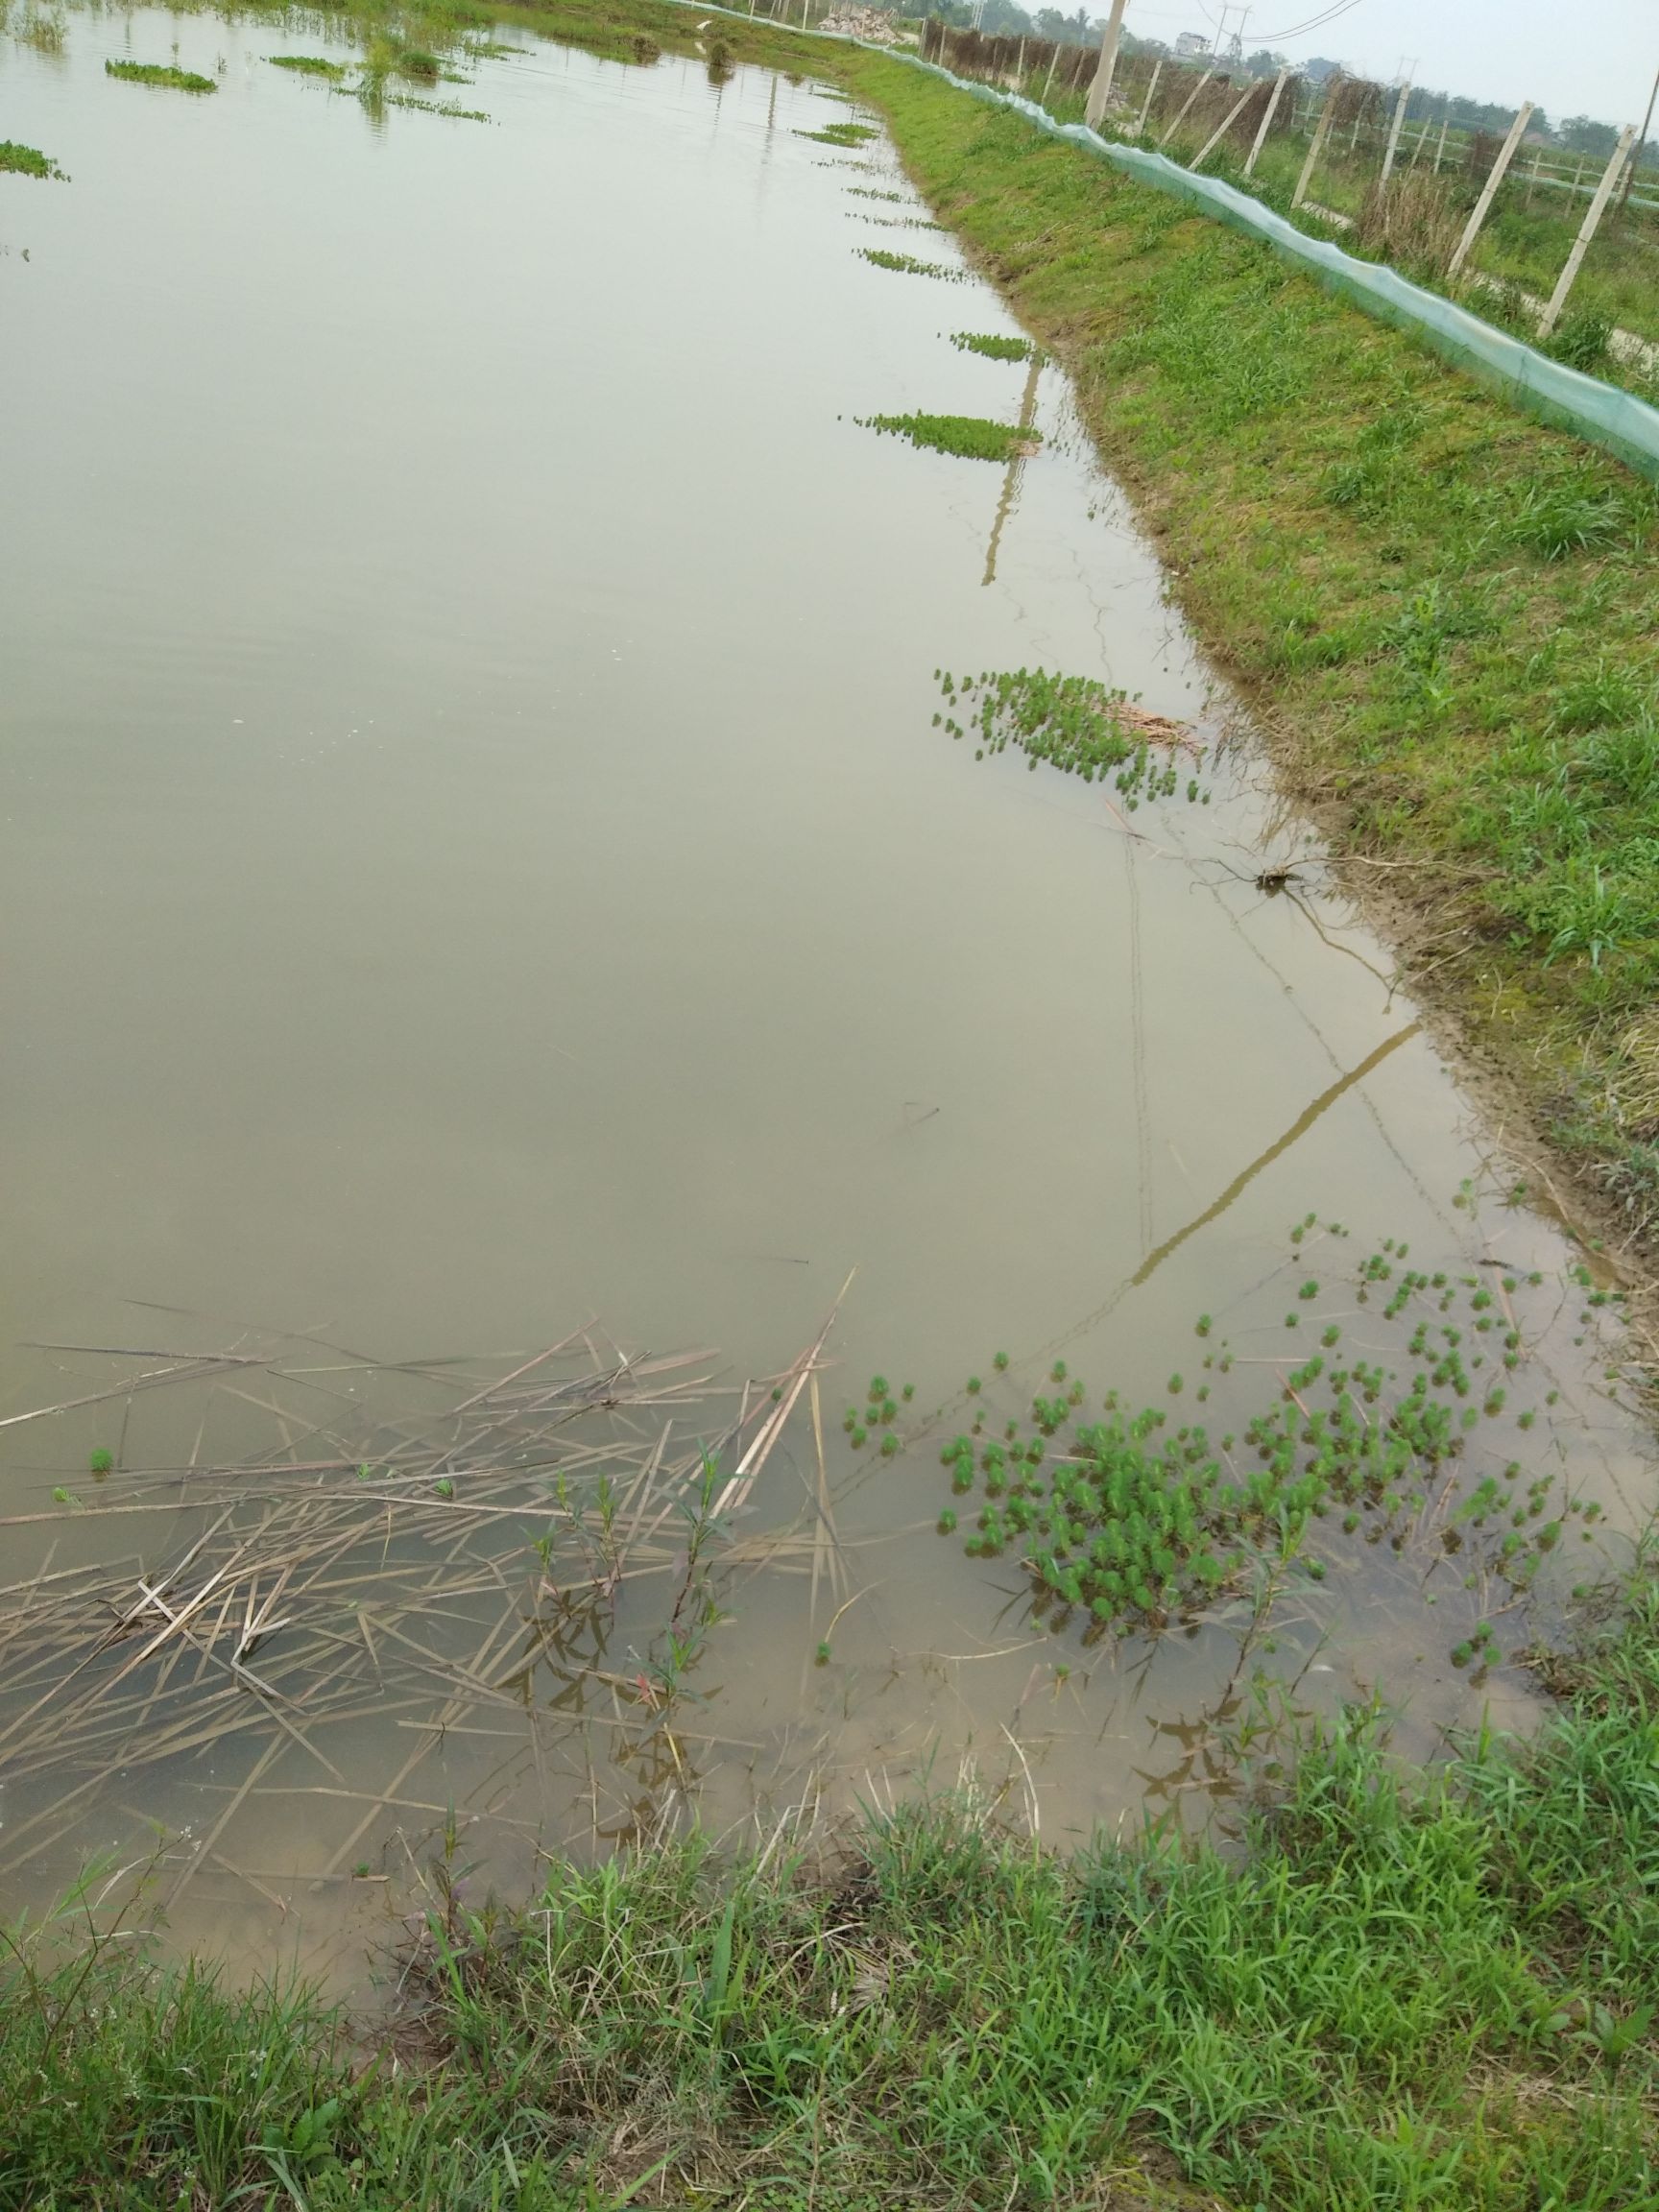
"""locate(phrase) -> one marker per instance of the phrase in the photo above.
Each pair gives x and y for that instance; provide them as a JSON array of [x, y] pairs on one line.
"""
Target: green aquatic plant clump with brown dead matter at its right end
[[1074, 724]]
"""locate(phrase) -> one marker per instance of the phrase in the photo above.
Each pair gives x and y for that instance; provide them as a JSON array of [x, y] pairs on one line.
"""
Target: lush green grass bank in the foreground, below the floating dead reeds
[[1408, 1992]]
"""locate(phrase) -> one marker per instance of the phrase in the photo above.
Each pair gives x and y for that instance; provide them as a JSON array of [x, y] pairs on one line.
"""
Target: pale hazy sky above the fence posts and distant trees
[[1592, 59]]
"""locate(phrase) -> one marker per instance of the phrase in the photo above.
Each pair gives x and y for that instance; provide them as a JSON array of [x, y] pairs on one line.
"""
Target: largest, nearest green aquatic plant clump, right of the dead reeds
[[1136, 1525]]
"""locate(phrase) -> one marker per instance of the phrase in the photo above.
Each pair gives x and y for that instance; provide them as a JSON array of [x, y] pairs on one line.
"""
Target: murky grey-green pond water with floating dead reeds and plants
[[481, 866]]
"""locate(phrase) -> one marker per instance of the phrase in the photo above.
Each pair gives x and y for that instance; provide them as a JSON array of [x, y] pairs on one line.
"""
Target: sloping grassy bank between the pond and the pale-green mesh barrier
[[1441, 612]]
